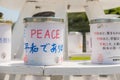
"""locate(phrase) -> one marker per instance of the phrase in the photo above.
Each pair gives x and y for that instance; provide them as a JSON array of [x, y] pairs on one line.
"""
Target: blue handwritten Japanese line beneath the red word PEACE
[[45, 48]]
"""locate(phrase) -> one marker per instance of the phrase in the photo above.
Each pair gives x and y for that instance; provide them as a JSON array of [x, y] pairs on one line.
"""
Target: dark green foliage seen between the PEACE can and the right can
[[78, 22]]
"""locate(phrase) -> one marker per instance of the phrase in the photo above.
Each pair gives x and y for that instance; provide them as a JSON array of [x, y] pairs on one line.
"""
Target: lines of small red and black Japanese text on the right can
[[108, 40]]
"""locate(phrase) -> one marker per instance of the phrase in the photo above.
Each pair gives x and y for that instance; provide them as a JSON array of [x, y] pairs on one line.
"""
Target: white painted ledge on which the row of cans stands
[[67, 68]]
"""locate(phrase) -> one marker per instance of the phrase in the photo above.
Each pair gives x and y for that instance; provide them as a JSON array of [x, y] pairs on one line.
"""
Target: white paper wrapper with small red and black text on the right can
[[105, 42]]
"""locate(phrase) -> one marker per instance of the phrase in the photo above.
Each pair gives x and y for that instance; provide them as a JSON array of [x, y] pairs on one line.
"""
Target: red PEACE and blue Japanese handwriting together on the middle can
[[44, 39]]
